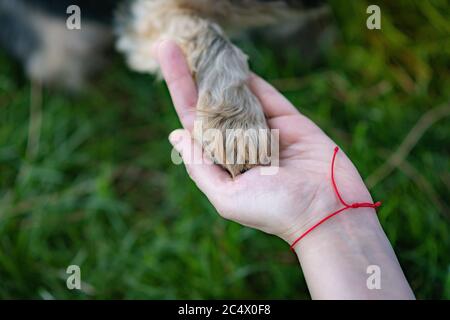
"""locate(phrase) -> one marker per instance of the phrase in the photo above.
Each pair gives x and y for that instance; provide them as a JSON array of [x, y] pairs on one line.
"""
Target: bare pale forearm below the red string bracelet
[[335, 258]]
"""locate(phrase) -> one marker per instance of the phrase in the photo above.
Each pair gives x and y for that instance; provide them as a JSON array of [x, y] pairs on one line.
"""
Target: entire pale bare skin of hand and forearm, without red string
[[335, 256]]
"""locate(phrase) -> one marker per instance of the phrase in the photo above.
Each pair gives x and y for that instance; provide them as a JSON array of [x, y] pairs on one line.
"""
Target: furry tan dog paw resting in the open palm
[[233, 130]]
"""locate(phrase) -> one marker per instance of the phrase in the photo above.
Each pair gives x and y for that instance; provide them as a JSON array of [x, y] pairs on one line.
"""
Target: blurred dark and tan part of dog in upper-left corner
[[35, 32]]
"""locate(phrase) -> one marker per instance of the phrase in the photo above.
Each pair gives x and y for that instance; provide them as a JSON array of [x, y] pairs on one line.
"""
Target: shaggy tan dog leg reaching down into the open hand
[[220, 69]]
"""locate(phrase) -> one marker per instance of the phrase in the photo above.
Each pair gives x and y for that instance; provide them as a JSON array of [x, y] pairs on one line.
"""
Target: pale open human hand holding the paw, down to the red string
[[285, 204]]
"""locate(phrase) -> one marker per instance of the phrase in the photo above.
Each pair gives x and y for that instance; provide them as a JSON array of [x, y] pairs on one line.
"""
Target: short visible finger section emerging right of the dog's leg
[[273, 102]]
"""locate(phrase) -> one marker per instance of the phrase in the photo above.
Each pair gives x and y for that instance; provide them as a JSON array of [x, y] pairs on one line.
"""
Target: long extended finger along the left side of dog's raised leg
[[179, 80]]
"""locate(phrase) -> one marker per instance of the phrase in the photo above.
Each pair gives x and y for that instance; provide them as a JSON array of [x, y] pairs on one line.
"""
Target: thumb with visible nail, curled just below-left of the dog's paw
[[207, 176]]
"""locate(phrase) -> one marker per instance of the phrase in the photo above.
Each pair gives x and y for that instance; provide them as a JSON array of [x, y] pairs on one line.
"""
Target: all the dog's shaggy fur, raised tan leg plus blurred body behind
[[220, 69]]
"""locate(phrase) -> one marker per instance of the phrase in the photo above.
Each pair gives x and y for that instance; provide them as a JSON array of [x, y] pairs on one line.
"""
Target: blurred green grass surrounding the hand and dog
[[88, 180]]
